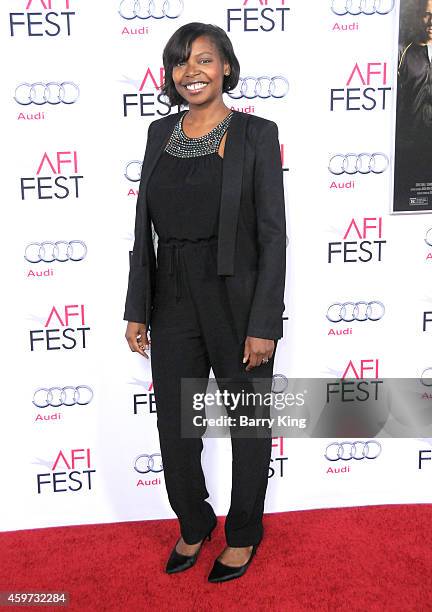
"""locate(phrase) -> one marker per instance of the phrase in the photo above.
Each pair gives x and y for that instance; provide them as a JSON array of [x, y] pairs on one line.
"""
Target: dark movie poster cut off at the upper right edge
[[413, 136]]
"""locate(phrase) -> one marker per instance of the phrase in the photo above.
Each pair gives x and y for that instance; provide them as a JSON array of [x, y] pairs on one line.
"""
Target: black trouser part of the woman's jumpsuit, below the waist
[[192, 330]]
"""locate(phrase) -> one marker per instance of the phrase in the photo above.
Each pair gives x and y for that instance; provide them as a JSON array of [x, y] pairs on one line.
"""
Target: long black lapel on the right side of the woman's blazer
[[231, 193]]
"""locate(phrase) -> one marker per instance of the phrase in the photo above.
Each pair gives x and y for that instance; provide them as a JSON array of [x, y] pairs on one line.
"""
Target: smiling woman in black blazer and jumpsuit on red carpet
[[211, 184]]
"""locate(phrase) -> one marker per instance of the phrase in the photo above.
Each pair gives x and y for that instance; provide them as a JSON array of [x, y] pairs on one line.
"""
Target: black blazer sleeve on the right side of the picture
[[265, 318]]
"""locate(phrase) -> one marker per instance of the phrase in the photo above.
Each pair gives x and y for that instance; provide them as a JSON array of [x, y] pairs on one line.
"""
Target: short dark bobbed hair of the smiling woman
[[178, 49]]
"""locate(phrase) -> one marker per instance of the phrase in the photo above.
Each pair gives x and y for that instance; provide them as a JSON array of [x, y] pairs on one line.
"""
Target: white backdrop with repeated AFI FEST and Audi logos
[[349, 84]]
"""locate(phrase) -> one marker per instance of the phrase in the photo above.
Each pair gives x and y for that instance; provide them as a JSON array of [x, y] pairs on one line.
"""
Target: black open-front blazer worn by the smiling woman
[[251, 252]]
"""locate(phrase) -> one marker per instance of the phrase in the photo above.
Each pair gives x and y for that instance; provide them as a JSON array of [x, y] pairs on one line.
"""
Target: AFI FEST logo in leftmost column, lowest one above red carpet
[[71, 471]]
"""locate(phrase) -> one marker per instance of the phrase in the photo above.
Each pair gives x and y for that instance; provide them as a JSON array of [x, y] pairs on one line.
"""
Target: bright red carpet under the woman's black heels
[[352, 559]]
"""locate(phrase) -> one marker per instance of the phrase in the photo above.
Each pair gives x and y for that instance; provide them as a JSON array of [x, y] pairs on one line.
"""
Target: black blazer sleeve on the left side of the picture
[[138, 271]]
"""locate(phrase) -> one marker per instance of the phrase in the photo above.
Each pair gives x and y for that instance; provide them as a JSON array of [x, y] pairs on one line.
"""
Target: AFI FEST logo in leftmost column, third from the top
[[65, 328]]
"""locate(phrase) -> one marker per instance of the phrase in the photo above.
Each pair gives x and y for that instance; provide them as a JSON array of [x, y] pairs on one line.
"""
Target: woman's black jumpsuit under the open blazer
[[192, 329]]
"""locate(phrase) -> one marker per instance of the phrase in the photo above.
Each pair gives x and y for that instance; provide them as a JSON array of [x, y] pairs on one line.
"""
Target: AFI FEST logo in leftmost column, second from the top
[[56, 178]]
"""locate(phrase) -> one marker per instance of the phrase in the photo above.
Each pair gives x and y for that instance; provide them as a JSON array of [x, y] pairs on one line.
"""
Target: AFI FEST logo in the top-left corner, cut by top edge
[[49, 18]]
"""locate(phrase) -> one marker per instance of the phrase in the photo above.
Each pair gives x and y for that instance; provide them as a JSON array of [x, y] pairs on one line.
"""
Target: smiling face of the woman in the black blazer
[[199, 79]]
